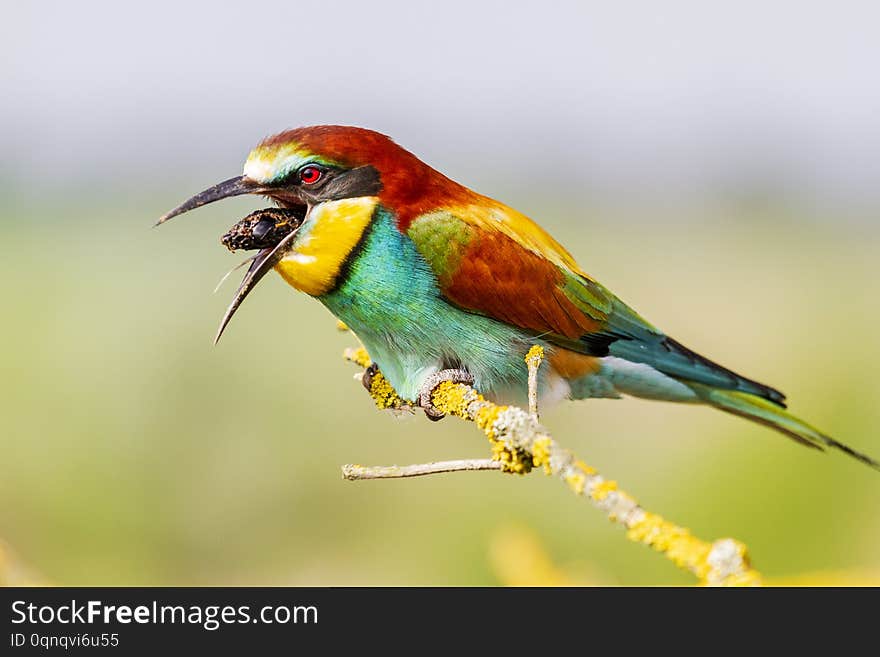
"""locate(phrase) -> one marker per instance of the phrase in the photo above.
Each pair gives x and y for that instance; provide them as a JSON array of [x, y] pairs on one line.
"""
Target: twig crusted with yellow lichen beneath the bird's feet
[[520, 443]]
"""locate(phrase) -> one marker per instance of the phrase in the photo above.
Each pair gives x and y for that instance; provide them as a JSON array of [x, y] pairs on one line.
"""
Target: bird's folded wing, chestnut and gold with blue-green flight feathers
[[492, 260]]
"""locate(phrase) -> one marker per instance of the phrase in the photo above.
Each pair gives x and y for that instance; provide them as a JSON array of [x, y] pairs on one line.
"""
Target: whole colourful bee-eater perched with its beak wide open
[[438, 281]]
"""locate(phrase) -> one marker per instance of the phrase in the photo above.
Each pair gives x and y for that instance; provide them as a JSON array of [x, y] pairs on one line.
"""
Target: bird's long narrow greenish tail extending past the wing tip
[[772, 415]]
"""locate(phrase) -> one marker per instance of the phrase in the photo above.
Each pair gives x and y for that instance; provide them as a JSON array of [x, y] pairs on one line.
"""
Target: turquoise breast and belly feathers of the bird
[[389, 297]]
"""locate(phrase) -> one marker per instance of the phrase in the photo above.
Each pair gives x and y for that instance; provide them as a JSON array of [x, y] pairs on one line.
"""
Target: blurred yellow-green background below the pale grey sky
[[137, 453]]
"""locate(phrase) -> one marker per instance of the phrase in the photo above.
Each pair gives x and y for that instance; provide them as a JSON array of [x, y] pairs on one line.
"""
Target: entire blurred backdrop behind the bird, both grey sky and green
[[134, 452]]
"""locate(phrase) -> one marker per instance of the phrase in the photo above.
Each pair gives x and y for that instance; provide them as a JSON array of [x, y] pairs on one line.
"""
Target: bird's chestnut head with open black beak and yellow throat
[[308, 169]]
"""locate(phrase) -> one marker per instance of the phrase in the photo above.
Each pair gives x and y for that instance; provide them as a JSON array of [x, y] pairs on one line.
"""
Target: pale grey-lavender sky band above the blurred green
[[615, 101]]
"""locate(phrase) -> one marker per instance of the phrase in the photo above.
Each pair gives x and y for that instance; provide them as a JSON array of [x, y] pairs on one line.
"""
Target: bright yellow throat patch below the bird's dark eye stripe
[[327, 241]]
